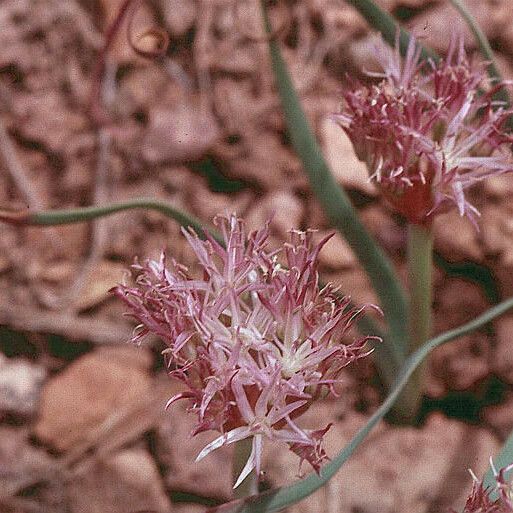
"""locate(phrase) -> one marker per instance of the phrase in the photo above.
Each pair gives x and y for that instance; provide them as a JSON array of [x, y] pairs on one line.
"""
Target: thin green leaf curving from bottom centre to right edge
[[275, 500]]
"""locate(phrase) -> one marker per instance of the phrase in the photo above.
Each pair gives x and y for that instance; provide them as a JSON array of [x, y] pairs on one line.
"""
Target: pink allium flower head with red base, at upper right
[[428, 131]]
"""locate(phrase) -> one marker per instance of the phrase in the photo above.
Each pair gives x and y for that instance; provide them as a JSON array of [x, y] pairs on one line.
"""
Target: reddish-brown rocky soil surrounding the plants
[[82, 421]]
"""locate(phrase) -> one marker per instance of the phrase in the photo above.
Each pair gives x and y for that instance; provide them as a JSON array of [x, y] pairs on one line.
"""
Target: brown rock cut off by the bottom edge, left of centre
[[128, 481]]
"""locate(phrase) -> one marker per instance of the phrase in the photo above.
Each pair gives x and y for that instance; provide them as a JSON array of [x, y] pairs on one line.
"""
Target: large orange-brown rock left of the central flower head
[[76, 401]]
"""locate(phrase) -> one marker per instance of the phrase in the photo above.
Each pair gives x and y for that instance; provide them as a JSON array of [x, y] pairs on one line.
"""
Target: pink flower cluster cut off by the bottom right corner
[[479, 500]]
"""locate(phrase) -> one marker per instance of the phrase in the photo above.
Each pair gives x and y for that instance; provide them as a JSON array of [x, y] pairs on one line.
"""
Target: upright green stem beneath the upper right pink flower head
[[420, 270]]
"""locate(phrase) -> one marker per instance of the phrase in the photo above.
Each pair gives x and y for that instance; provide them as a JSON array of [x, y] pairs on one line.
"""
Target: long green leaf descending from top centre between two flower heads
[[338, 208]]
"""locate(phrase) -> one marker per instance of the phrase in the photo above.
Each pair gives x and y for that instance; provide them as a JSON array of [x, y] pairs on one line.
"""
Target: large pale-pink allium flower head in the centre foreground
[[254, 342]]
